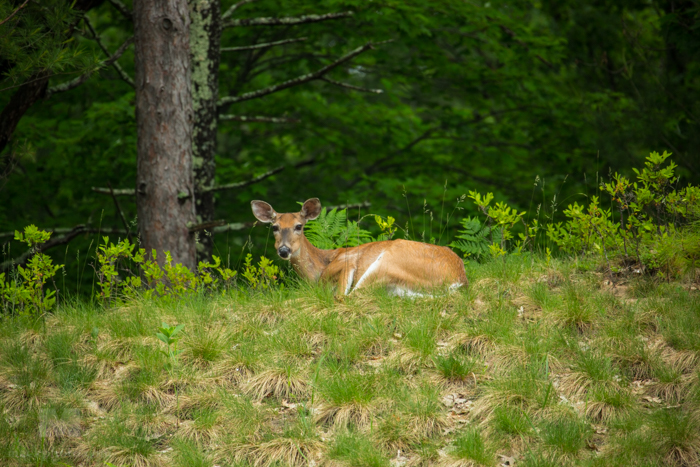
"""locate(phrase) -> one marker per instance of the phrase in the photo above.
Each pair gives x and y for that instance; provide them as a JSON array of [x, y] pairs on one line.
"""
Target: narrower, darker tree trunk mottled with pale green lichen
[[205, 41]]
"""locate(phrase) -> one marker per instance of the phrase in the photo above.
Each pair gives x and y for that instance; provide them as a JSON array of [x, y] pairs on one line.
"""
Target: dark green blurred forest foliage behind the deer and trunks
[[534, 101]]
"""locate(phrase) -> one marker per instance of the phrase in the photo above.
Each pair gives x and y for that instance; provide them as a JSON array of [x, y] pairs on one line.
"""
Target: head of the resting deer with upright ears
[[288, 228]]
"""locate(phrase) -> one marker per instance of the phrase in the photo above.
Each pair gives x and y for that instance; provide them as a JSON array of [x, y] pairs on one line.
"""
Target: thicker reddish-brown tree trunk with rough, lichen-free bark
[[164, 118]]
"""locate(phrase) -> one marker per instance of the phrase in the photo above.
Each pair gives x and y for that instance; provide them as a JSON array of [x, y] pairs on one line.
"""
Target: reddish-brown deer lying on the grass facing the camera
[[404, 267]]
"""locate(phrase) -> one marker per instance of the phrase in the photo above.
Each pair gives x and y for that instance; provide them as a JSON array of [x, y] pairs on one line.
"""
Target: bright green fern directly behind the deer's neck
[[332, 230]]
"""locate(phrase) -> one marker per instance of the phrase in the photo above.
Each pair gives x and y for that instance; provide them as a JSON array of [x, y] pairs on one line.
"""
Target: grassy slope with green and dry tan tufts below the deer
[[532, 364]]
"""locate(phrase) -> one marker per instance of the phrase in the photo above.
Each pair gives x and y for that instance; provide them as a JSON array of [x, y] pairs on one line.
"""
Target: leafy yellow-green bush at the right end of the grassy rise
[[655, 227]]
